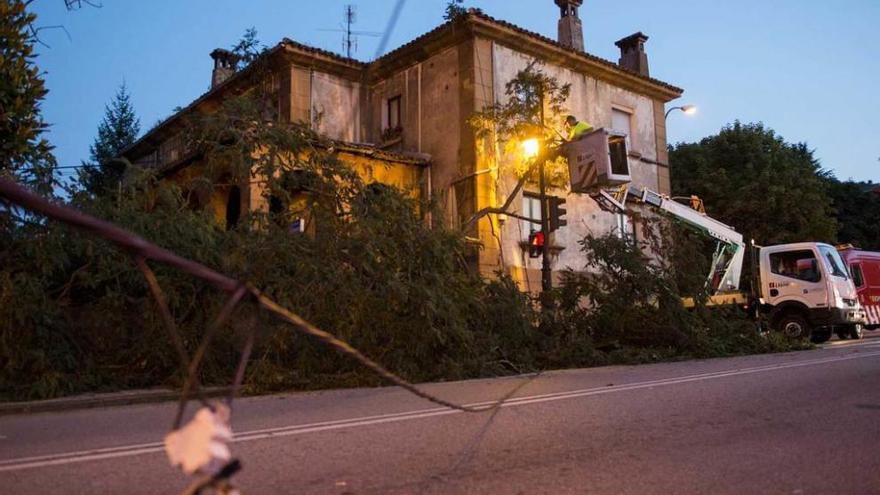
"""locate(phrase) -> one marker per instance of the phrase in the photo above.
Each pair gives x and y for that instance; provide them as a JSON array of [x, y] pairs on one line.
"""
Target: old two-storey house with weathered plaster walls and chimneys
[[412, 105]]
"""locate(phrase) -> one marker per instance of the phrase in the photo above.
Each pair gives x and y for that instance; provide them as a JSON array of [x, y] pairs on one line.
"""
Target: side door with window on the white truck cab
[[794, 275]]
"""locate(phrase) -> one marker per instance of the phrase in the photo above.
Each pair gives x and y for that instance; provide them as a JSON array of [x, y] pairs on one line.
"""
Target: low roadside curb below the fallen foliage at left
[[91, 401]]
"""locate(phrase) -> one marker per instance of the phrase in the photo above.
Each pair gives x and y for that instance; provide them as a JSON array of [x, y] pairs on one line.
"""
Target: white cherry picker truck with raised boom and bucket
[[802, 290]]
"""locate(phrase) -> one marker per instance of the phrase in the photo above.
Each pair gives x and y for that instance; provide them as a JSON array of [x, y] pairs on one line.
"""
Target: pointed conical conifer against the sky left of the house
[[118, 130]]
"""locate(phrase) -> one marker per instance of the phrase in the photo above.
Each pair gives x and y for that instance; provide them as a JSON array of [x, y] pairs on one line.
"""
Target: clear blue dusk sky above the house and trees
[[806, 68]]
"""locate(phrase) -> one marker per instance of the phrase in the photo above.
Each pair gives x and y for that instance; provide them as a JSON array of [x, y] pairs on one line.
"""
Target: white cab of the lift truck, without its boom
[[805, 290]]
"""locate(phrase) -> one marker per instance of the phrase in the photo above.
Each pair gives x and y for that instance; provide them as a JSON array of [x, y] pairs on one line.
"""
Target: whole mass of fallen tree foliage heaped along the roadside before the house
[[76, 315]]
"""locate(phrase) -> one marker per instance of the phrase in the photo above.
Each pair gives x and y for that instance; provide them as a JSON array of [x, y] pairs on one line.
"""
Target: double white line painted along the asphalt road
[[252, 435]]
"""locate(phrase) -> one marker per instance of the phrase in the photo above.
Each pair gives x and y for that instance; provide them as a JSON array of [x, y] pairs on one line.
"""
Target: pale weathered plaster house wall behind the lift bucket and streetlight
[[592, 100]]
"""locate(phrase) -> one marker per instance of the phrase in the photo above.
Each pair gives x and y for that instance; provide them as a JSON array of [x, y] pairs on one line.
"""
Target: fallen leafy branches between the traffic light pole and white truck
[[625, 306]]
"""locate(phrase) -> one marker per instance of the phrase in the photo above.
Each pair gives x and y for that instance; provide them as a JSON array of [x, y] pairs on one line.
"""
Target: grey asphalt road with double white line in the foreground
[[799, 423]]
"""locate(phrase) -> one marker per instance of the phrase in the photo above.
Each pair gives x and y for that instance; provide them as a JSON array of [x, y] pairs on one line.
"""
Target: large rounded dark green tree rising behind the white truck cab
[[770, 190]]
